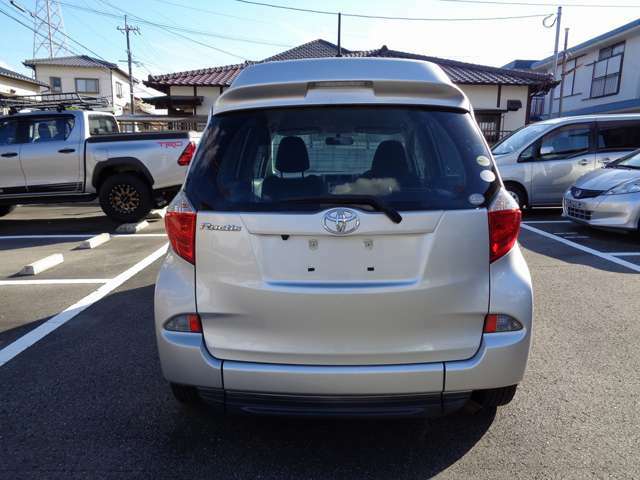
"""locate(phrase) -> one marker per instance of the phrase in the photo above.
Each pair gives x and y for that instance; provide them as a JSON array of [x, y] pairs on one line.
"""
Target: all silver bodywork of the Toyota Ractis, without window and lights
[[289, 308]]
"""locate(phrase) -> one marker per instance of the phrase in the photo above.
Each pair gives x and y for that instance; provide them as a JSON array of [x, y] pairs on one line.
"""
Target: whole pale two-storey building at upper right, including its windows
[[602, 75]]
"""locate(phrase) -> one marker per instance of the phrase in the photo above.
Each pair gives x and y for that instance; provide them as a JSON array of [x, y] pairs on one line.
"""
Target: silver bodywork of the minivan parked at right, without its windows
[[545, 182]]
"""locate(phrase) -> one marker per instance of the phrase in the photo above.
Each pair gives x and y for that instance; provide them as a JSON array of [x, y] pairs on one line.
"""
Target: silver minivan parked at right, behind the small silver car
[[539, 162]]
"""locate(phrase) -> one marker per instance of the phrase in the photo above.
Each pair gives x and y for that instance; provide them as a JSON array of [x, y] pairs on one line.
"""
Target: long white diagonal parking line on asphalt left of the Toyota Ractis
[[24, 342]]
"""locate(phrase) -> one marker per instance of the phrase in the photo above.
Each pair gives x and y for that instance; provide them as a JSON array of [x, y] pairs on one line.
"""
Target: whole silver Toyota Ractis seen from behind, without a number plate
[[343, 245]]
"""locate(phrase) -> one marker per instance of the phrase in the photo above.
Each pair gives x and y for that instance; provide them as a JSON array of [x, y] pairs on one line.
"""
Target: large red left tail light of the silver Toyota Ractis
[[180, 222]]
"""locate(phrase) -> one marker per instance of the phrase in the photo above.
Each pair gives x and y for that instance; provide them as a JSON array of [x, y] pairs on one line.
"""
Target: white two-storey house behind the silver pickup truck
[[85, 75]]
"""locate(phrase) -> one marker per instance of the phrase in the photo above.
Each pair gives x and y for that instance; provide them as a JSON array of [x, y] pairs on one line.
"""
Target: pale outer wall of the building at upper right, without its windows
[[629, 85]]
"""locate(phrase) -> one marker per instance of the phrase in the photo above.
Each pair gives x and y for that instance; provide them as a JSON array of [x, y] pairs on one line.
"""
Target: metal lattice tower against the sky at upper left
[[48, 38]]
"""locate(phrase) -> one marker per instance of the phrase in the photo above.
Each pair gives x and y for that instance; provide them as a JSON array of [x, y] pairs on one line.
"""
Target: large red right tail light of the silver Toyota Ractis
[[504, 225]]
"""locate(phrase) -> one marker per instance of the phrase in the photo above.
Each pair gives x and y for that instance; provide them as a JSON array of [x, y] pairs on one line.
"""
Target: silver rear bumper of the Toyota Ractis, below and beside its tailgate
[[499, 361]]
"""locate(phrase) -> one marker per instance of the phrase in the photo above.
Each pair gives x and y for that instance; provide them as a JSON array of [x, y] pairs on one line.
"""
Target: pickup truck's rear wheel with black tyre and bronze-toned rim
[[125, 197]]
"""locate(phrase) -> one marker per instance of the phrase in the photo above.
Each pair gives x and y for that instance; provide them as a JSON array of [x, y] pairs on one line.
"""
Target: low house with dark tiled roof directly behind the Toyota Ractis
[[500, 96]]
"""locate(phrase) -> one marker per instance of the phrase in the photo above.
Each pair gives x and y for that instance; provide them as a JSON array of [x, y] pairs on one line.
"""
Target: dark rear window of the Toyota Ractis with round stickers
[[410, 158]]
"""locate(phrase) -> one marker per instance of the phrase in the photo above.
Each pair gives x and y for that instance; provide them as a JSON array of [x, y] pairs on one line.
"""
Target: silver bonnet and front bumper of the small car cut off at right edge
[[605, 211]]
